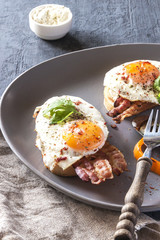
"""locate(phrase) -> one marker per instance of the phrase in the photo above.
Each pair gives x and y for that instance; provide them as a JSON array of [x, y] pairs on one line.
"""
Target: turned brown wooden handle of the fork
[[133, 201]]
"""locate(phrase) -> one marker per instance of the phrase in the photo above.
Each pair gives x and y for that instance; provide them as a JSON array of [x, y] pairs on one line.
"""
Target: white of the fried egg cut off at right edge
[[130, 90]]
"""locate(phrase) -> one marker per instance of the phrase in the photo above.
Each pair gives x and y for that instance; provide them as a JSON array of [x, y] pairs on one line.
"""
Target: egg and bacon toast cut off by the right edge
[[132, 88]]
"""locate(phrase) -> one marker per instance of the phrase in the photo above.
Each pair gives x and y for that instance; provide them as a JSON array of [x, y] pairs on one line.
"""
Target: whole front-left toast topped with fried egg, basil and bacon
[[72, 137]]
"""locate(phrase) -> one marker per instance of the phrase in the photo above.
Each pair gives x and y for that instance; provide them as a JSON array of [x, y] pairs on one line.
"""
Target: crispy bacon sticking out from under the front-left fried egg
[[101, 165]]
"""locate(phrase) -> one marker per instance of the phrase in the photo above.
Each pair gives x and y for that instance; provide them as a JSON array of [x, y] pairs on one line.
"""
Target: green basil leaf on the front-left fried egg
[[62, 110]]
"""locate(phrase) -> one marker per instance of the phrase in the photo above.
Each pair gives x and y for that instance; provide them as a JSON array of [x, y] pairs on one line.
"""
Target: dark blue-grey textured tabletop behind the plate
[[95, 23]]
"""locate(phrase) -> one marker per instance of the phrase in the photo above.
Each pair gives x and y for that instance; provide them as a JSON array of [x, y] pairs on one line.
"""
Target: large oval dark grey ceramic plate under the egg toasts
[[79, 74]]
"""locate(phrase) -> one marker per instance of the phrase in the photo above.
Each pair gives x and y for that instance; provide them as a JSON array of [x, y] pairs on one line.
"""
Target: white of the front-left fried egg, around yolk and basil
[[49, 137]]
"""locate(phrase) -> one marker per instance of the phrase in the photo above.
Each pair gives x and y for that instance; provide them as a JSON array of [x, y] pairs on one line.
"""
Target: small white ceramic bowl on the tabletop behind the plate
[[50, 32]]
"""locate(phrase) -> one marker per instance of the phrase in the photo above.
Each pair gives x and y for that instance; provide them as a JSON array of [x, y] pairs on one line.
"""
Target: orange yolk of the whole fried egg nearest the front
[[83, 136]]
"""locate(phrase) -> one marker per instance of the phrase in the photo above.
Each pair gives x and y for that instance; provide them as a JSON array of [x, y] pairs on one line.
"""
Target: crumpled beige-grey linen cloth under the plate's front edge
[[30, 209]]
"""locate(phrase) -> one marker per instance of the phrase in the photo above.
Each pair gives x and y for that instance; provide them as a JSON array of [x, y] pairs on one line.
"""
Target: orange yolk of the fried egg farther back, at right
[[142, 72]]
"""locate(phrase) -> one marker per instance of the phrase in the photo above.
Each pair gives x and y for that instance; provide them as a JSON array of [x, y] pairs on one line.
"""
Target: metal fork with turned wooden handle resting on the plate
[[134, 197]]
